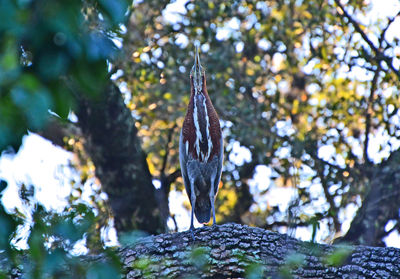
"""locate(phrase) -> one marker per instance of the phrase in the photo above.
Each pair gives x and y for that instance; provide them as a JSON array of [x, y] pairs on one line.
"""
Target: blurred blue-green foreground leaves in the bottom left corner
[[55, 241]]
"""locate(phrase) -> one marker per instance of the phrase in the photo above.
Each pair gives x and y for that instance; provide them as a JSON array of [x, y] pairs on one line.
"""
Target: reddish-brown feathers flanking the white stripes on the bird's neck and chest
[[189, 130]]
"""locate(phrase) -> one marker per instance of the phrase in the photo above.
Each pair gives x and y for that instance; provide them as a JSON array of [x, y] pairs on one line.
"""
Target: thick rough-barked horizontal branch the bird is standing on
[[237, 251]]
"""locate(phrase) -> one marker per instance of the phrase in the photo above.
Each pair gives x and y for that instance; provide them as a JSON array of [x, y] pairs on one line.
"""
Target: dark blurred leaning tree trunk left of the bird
[[113, 145]]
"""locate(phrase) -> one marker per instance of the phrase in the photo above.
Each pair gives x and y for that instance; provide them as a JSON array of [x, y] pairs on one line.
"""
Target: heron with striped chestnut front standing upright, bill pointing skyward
[[201, 147]]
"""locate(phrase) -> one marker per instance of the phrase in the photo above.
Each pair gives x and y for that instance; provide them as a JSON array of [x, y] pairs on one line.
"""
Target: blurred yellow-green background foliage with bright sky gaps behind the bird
[[292, 82]]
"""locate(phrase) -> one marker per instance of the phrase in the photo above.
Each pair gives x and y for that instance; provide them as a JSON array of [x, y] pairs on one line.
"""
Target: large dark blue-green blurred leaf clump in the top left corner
[[50, 54]]
